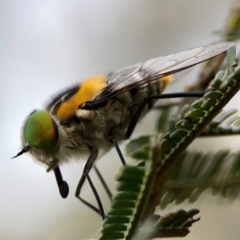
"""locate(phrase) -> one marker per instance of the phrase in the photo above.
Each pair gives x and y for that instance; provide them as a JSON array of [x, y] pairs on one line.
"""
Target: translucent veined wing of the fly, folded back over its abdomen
[[130, 77]]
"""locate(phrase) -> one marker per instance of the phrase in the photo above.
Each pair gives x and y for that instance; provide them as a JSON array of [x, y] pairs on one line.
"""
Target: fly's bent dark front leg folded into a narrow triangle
[[85, 175]]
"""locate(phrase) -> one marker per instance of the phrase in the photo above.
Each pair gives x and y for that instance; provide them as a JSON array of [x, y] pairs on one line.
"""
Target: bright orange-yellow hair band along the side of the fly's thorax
[[88, 89]]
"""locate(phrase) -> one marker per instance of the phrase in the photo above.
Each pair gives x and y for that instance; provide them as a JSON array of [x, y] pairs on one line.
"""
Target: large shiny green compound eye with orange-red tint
[[40, 131]]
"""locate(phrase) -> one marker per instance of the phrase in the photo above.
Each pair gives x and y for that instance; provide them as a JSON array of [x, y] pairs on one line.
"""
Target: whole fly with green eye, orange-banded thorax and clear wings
[[102, 111]]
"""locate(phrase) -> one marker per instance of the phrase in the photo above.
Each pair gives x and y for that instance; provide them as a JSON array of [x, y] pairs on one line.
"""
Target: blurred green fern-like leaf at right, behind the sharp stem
[[195, 172]]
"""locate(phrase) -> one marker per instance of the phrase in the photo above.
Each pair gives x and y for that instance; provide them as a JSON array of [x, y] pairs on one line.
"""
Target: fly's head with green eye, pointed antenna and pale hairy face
[[40, 137]]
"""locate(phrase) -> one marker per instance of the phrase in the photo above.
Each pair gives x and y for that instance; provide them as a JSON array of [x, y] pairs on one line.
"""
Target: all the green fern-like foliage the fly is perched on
[[168, 172]]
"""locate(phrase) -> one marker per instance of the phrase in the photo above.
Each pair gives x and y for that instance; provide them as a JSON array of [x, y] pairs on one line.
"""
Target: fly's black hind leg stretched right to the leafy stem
[[146, 100]]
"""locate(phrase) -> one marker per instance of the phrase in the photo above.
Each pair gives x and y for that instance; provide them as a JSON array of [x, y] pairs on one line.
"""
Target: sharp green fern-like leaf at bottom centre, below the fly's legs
[[128, 207]]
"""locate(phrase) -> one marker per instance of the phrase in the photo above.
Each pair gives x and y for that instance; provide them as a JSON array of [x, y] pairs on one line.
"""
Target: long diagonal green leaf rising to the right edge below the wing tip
[[194, 120]]
